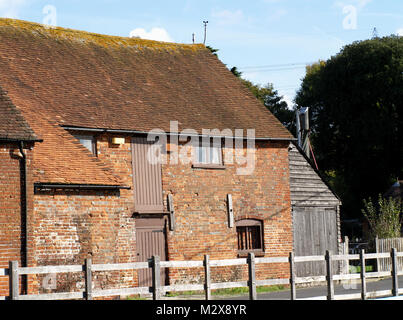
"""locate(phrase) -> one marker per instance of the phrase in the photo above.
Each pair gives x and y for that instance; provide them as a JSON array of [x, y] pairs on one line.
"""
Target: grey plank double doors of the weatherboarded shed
[[315, 231]]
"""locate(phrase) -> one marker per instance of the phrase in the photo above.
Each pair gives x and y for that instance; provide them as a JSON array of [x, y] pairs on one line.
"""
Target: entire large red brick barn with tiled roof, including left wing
[[92, 190]]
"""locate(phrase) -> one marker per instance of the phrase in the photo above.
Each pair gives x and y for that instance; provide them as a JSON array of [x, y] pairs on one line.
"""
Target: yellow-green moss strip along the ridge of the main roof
[[99, 39]]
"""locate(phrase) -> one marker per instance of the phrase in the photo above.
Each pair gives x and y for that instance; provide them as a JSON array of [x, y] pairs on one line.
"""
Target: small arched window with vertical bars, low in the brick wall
[[250, 236]]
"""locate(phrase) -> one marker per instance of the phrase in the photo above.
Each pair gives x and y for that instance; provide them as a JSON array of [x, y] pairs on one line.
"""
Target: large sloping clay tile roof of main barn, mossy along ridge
[[95, 81]]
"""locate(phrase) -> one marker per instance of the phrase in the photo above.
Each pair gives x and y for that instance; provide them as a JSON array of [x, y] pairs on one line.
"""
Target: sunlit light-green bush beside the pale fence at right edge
[[383, 217]]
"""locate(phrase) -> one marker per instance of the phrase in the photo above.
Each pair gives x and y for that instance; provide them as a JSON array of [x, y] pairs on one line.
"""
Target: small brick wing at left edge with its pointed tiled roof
[[17, 140]]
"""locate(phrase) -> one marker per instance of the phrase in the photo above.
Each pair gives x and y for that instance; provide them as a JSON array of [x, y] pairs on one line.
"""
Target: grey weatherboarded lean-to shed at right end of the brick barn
[[315, 211]]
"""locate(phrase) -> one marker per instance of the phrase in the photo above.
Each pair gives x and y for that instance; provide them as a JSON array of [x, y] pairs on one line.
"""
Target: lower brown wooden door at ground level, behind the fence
[[151, 241]]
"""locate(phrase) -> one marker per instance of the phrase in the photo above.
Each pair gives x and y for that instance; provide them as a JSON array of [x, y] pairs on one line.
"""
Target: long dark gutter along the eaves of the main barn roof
[[136, 132]]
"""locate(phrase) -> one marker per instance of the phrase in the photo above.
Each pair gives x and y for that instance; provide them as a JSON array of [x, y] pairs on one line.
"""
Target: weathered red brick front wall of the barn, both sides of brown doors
[[68, 226]]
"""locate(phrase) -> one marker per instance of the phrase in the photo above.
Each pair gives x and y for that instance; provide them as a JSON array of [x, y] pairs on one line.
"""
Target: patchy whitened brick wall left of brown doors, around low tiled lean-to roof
[[71, 225]]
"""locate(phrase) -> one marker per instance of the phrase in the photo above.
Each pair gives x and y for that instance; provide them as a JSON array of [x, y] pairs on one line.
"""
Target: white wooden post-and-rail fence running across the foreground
[[157, 289]]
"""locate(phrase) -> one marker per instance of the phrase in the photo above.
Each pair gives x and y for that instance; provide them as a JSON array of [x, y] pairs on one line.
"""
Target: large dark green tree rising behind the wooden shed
[[356, 111]]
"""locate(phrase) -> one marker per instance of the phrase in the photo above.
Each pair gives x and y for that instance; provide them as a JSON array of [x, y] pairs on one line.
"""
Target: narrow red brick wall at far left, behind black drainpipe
[[10, 207]]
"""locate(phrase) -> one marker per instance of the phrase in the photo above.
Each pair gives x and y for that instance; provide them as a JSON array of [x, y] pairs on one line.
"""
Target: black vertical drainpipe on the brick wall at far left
[[24, 214]]
